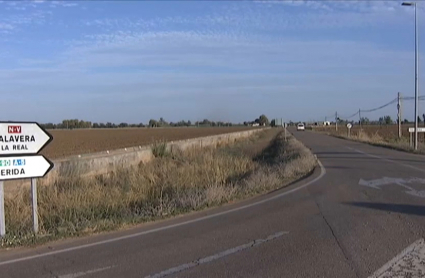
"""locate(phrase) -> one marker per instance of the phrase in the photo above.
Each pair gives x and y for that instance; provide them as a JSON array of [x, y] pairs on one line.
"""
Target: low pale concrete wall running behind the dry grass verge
[[101, 163]]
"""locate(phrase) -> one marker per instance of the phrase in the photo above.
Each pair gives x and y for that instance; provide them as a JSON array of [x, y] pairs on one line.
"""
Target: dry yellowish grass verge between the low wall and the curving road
[[173, 183]]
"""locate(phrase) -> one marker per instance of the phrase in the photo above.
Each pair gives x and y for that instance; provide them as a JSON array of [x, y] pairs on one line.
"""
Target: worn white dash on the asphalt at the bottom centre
[[217, 256]]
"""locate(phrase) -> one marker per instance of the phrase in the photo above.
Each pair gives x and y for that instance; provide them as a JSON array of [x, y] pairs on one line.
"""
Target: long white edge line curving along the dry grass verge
[[79, 247]]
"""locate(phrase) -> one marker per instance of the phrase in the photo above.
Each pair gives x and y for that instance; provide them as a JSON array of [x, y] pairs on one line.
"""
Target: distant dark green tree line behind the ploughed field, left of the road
[[78, 124]]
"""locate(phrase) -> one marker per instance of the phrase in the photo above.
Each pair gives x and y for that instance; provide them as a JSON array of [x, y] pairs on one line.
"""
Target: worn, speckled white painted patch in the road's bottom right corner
[[409, 263]]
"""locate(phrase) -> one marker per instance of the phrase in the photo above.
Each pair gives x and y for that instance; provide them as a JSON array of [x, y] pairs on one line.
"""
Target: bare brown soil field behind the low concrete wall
[[82, 141]]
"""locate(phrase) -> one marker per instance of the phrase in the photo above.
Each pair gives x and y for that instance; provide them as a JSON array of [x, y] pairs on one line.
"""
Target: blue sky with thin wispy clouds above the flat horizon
[[130, 61]]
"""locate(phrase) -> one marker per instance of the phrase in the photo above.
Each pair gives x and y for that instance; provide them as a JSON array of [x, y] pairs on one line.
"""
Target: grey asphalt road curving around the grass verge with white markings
[[348, 219]]
